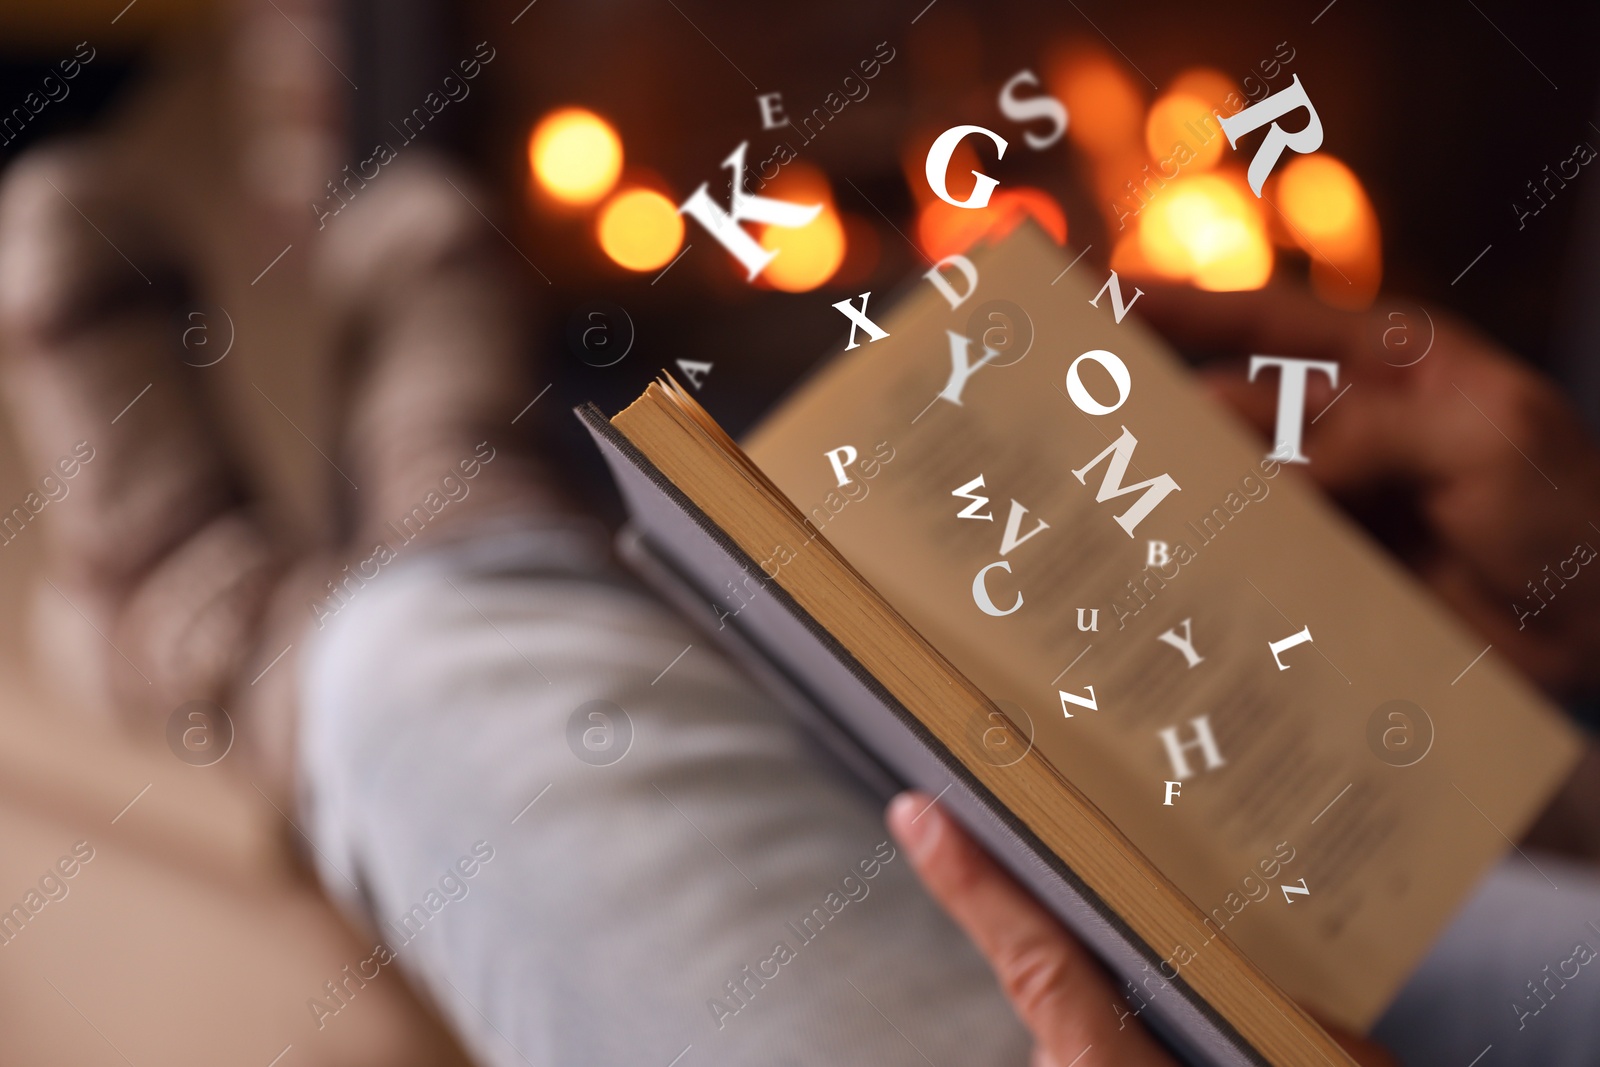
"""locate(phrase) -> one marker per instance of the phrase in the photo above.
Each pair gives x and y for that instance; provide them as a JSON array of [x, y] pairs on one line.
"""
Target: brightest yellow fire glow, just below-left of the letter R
[[1206, 230]]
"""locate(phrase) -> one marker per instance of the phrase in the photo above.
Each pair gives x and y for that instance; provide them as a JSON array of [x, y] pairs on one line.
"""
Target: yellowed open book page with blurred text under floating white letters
[[1260, 698]]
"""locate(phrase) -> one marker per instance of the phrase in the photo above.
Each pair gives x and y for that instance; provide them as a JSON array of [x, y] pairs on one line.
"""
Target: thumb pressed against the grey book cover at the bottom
[[1057, 989]]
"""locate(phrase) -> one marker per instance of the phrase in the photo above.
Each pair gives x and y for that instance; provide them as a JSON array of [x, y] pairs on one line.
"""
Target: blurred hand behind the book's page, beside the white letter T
[[1465, 463]]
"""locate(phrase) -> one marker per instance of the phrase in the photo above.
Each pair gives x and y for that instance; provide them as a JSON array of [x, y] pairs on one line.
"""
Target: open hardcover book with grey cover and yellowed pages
[[1241, 753]]
